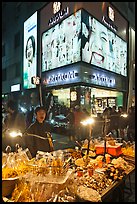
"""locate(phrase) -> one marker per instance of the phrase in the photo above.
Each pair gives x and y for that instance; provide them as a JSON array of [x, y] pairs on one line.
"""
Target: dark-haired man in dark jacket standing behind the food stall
[[39, 128]]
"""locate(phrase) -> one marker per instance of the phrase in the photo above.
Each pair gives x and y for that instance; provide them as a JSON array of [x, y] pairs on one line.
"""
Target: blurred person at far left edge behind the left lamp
[[14, 121]]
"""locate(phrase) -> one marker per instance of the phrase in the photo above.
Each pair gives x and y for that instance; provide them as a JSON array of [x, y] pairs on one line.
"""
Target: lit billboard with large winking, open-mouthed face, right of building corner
[[101, 47]]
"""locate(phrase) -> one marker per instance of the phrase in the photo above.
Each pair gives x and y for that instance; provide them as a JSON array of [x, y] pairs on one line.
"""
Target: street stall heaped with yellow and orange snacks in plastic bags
[[68, 175]]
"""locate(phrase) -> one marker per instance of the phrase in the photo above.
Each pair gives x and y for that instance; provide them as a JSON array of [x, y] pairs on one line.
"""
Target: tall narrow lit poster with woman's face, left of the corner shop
[[30, 51]]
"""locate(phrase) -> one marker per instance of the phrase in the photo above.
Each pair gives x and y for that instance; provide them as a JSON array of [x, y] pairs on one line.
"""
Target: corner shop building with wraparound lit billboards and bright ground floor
[[84, 55]]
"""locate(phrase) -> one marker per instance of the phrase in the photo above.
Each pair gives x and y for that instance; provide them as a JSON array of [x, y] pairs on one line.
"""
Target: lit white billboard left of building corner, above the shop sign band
[[61, 44]]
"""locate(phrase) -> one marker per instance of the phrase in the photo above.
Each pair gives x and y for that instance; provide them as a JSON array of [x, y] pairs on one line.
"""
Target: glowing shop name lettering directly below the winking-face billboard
[[103, 80]]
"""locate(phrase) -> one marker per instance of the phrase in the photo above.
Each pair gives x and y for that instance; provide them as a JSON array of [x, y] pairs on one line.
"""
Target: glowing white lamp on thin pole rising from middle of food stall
[[88, 121]]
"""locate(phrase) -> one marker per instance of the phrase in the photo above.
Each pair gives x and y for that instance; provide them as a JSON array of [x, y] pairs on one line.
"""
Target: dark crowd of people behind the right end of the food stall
[[121, 123]]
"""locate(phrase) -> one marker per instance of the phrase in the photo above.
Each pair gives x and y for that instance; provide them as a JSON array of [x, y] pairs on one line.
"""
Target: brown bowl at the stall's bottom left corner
[[8, 185]]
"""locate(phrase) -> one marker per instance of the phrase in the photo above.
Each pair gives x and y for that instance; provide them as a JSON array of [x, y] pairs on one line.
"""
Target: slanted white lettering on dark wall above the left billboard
[[58, 16]]
